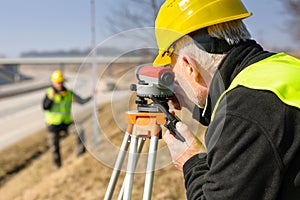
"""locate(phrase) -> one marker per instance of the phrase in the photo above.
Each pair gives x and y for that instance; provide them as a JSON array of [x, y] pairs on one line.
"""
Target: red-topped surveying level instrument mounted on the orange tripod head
[[156, 84]]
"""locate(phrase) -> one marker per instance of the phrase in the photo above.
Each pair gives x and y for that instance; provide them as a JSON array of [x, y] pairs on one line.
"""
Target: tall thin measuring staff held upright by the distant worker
[[95, 74]]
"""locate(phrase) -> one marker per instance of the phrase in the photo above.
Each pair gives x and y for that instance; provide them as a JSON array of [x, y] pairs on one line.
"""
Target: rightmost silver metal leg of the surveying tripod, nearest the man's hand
[[150, 168]]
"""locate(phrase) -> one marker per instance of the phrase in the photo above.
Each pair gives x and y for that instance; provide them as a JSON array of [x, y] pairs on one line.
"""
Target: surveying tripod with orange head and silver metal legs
[[141, 125]]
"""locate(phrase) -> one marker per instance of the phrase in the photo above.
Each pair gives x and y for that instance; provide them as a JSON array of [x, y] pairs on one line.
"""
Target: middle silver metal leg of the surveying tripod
[[132, 159]]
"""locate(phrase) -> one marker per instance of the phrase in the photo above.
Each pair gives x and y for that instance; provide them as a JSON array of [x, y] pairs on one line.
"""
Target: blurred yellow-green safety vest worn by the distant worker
[[60, 111]]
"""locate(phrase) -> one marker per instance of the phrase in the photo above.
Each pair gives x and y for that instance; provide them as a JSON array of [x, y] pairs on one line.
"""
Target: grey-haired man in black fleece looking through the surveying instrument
[[247, 97]]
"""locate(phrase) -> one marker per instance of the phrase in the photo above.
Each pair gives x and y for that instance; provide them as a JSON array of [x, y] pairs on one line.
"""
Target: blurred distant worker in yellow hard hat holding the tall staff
[[58, 106]]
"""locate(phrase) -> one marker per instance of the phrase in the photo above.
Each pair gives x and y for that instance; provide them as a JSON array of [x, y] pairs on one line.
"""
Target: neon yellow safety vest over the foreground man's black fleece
[[279, 74]]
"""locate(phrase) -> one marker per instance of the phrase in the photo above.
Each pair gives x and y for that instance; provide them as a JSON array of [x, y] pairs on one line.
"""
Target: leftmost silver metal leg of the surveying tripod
[[117, 168]]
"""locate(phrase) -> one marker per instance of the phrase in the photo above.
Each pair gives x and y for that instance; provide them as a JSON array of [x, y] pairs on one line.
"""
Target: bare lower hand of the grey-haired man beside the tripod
[[182, 151]]
